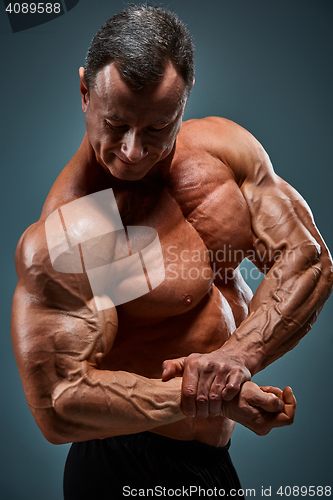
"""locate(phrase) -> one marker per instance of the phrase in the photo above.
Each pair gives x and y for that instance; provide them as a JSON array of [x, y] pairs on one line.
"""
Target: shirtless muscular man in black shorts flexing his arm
[[176, 361]]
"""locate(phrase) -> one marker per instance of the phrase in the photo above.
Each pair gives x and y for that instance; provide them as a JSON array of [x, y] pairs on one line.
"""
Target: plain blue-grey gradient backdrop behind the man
[[264, 64]]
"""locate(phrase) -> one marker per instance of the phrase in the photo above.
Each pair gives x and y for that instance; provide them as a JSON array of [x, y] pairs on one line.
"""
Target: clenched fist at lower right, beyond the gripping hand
[[261, 409]]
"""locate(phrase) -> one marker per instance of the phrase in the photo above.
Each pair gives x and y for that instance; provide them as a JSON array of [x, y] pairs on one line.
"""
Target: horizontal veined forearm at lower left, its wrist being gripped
[[102, 403]]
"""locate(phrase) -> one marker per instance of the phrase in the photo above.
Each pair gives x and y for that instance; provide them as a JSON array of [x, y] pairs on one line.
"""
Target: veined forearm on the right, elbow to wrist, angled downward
[[284, 307]]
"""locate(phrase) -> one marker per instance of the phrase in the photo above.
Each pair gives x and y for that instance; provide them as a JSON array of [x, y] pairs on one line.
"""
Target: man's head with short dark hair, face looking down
[[138, 75]]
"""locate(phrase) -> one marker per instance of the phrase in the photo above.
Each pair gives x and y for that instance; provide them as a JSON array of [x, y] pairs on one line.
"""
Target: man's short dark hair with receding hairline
[[141, 40]]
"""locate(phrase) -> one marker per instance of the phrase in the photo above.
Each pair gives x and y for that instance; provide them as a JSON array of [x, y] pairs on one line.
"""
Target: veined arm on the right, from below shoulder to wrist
[[299, 280]]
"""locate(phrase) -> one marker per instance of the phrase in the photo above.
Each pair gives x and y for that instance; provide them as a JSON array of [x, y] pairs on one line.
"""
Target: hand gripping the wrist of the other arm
[[207, 380]]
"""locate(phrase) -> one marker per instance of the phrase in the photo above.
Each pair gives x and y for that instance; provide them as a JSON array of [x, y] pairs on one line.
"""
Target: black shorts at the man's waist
[[111, 468]]
